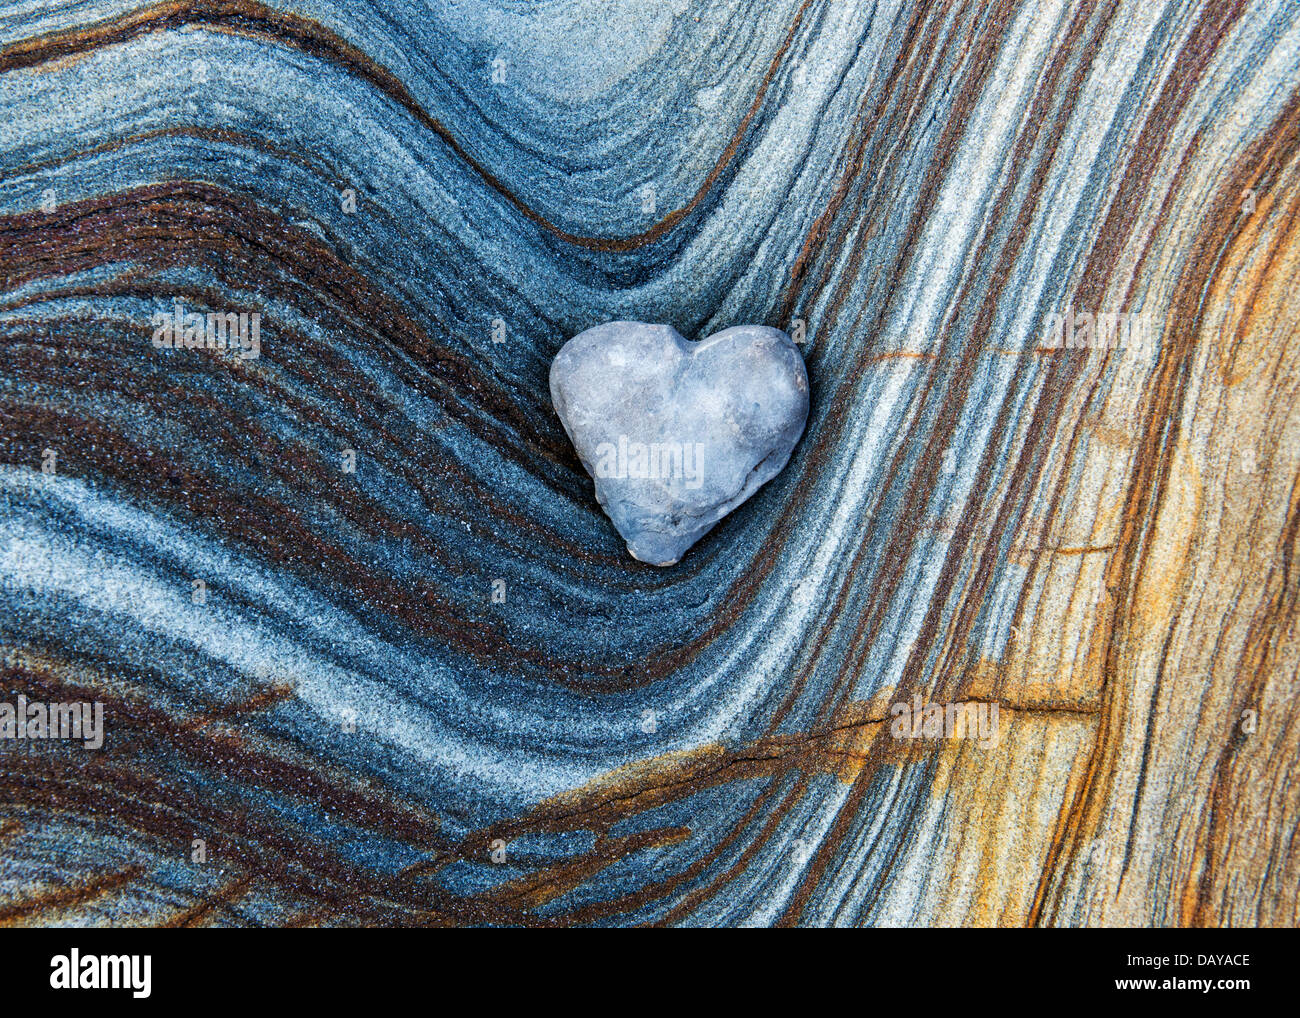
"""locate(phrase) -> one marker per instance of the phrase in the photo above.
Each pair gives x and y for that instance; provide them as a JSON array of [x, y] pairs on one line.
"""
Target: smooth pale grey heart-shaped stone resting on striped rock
[[677, 435]]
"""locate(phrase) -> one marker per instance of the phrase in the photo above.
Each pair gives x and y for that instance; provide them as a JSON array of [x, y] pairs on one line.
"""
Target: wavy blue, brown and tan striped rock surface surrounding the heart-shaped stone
[[367, 649]]
